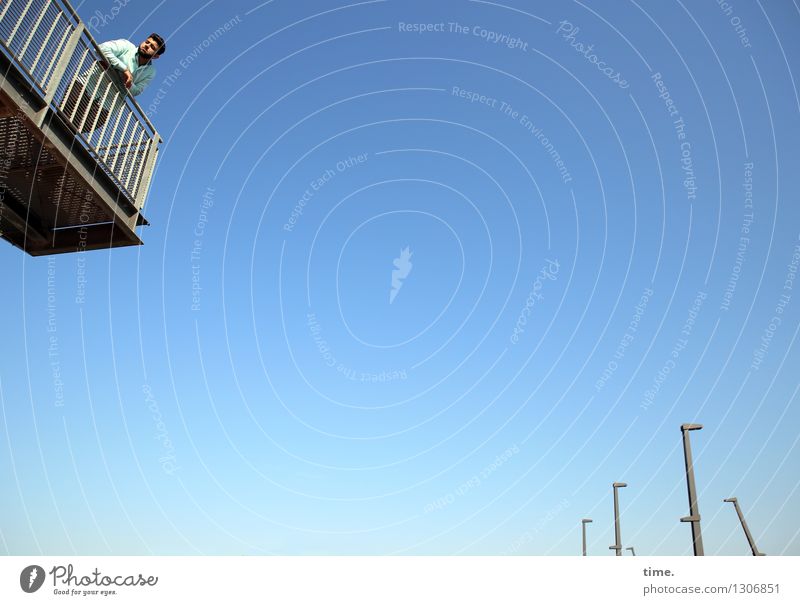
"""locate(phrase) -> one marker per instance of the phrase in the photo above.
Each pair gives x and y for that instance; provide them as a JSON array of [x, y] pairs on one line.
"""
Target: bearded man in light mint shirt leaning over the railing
[[91, 100]]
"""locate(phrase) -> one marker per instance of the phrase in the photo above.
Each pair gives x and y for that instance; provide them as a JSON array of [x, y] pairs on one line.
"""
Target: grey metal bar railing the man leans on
[[51, 47]]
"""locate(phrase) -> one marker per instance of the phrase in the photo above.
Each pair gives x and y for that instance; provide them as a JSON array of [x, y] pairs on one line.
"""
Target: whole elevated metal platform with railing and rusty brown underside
[[76, 151]]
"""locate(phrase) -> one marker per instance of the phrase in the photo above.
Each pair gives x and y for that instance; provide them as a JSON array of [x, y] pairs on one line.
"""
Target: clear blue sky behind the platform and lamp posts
[[599, 204]]
